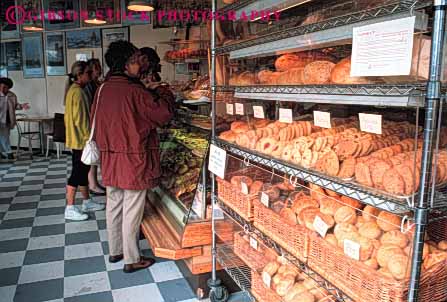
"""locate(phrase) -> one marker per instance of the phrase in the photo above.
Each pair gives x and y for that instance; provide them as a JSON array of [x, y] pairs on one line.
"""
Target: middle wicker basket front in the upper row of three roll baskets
[[292, 238]]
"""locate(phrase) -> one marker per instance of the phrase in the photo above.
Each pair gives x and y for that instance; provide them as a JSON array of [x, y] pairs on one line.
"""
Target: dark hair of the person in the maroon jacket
[[118, 55]]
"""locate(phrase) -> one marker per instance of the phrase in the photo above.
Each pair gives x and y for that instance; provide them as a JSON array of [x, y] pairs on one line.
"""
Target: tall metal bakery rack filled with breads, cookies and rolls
[[336, 159]]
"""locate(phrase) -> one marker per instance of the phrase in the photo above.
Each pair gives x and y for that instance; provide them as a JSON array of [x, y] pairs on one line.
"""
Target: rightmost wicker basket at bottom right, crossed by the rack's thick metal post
[[364, 284]]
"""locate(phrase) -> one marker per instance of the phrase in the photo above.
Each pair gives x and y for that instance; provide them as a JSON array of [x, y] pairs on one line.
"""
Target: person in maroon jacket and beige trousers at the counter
[[125, 131]]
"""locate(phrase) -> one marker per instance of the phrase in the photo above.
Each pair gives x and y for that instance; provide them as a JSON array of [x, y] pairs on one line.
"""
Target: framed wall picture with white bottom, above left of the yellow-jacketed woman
[[55, 53]]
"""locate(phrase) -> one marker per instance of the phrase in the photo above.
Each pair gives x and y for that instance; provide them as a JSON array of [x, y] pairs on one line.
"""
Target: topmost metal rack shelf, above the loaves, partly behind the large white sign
[[331, 32]]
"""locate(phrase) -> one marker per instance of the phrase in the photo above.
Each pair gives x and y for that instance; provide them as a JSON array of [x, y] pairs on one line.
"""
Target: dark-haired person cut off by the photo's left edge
[[8, 107]]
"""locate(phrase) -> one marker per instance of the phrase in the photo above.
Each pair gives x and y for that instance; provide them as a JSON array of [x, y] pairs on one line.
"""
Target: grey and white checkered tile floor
[[45, 258]]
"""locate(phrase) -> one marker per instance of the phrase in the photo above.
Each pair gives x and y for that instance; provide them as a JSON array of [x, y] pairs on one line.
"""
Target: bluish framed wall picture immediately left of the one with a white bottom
[[32, 50]]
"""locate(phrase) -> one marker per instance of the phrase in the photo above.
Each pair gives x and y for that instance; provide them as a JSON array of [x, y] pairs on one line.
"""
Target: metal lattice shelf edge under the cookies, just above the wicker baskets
[[365, 195]]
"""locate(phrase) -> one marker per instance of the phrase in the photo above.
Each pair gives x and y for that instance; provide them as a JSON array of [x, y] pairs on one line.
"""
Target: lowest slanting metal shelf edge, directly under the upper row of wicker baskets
[[336, 293]]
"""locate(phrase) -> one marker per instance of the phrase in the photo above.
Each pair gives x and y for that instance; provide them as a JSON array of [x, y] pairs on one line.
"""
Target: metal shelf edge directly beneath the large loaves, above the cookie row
[[409, 95]]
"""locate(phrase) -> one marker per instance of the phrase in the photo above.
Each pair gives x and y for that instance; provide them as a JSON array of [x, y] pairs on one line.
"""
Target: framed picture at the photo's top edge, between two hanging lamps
[[54, 21]]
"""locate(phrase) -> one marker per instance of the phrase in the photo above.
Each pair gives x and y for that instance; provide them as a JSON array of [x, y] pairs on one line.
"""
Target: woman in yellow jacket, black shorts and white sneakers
[[77, 133]]
